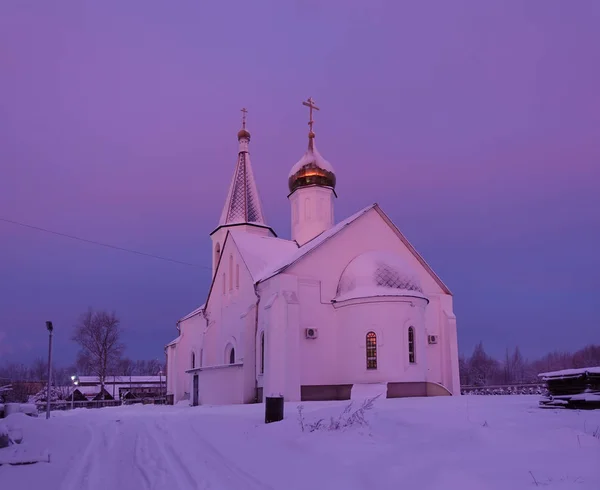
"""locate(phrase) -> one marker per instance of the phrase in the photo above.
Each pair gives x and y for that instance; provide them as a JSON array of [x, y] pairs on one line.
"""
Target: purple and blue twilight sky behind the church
[[475, 125]]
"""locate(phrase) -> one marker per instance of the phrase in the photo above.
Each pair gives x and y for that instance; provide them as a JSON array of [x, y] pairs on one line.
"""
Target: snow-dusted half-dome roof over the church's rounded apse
[[378, 273]]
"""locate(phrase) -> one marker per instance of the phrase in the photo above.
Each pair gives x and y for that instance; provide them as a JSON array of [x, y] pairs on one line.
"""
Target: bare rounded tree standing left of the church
[[98, 334]]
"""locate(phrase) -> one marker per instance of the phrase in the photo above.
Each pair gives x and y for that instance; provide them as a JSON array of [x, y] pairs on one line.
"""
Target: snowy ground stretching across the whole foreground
[[463, 443]]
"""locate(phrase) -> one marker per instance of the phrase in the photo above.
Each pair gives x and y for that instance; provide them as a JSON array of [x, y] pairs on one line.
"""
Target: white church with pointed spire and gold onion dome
[[336, 307]]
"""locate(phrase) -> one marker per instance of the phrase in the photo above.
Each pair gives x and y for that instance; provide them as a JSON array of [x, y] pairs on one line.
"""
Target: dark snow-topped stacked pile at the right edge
[[572, 388]]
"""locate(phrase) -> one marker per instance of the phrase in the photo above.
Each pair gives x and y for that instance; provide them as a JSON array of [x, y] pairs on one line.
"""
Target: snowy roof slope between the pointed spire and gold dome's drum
[[259, 251]]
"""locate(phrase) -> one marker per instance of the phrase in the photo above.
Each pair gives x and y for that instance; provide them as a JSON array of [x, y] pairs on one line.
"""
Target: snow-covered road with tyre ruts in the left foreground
[[145, 451]]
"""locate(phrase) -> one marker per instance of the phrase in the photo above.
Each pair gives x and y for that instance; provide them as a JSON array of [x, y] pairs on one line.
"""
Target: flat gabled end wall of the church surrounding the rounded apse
[[325, 265]]
